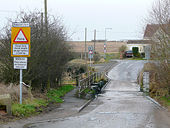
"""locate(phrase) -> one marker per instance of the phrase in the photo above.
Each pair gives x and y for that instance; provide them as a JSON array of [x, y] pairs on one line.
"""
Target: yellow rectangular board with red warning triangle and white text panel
[[20, 41]]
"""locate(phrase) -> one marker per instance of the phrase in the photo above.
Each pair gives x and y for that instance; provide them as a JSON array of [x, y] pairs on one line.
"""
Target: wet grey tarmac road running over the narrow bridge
[[121, 106]]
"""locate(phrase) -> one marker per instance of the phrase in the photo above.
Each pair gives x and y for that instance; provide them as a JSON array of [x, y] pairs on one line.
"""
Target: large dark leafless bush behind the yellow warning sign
[[49, 53]]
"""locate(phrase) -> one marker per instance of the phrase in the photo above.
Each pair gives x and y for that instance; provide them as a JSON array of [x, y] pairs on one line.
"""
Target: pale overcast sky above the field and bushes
[[125, 17]]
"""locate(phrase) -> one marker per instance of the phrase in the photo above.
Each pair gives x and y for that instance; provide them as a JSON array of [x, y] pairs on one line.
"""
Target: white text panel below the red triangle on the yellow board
[[20, 49]]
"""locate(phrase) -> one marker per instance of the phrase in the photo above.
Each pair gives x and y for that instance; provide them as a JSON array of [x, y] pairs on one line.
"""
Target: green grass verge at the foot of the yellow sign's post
[[32, 107]]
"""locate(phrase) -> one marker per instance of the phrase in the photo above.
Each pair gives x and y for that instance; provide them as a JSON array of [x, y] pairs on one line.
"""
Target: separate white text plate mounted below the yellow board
[[20, 63]]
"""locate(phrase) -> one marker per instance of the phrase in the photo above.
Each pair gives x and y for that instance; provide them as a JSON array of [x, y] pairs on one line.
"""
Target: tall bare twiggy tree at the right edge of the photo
[[160, 15]]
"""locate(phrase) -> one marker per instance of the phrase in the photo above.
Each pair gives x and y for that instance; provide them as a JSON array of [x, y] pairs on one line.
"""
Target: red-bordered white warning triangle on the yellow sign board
[[20, 37]]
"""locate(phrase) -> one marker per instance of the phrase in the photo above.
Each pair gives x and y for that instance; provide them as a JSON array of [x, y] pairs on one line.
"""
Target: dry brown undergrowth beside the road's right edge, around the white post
[[158, 88]]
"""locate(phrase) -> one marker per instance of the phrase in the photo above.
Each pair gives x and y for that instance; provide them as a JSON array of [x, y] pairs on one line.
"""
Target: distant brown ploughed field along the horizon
[[112, 47]]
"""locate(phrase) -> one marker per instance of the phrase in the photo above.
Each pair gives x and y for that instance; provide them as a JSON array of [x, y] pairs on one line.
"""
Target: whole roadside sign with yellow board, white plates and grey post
[[20, 47]]
